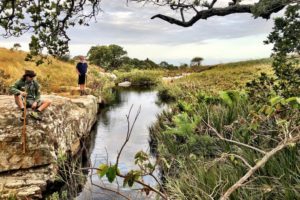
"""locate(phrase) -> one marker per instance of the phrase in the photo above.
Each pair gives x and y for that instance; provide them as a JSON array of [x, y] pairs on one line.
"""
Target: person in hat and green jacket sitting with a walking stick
[[29, 88]]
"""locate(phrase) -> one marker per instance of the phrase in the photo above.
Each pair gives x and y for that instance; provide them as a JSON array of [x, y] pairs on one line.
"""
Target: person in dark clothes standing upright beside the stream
[[81, 69]]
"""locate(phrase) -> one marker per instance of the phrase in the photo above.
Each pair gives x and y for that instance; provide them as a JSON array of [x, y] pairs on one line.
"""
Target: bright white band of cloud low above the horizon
[[213, 51]]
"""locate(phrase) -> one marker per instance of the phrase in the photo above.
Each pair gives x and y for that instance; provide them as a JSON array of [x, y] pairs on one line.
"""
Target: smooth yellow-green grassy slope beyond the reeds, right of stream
[[228, 76]]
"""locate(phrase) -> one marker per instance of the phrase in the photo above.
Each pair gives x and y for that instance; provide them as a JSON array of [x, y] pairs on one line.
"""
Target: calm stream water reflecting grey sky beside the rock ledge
[[109, 136]]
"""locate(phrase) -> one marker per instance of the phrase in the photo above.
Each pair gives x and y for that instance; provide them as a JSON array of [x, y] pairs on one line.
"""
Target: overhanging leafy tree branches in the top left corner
[[47, 20]]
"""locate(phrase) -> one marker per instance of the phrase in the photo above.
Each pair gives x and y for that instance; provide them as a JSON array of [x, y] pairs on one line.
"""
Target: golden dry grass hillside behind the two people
[[51, 75]]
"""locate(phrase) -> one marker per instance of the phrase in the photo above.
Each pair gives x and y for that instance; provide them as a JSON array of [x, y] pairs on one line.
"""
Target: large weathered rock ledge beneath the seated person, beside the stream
[[64, 123]]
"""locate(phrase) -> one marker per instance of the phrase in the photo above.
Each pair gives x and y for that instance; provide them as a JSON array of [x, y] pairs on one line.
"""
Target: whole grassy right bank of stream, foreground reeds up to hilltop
[[204, 143]]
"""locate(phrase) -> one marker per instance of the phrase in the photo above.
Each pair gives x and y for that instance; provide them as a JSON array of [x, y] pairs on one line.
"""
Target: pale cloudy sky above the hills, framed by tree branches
[[218, 40]]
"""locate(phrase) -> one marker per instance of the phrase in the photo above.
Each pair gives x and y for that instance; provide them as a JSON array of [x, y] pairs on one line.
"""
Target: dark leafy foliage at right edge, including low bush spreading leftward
[[286, 39]]
